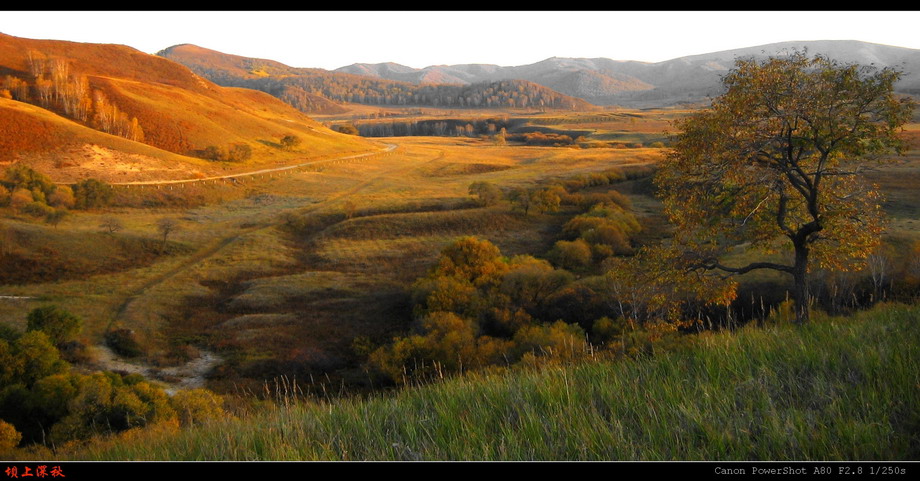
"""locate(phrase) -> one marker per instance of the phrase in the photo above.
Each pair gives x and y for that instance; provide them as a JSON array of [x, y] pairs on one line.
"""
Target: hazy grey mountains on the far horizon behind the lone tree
[[603, 81]]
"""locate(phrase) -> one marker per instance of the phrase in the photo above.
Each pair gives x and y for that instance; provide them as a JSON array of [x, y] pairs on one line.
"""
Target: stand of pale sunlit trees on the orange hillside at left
[[55, 86]]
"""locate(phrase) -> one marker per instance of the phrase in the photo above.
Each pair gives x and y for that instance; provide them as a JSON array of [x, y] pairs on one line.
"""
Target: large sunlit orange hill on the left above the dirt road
[[77, 109]]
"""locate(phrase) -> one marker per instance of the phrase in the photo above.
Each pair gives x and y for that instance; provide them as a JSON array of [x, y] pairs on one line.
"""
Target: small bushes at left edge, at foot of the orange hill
[[30, 192]]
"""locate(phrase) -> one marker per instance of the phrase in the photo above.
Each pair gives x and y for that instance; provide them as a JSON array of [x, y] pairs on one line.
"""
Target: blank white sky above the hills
[[333, 39]]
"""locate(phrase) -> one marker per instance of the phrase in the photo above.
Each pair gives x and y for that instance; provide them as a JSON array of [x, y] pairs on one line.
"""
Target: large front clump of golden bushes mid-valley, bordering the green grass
[[477, 308]]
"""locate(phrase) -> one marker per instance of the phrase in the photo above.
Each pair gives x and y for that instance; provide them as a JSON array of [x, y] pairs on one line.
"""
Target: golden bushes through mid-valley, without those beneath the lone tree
[[477, 308]]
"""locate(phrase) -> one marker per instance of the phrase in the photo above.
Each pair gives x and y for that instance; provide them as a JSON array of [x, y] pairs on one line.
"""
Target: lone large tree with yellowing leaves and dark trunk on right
[[777, 162]]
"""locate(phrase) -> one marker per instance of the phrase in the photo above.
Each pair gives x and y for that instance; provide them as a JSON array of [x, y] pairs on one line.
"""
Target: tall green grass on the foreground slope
[[836, 389]]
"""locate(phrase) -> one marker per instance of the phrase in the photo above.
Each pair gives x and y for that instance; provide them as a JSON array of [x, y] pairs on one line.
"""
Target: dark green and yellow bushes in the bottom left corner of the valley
[[43, 400]]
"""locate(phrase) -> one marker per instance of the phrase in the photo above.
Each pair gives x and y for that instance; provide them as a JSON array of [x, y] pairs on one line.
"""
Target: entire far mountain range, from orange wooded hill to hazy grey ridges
[[598, 81]]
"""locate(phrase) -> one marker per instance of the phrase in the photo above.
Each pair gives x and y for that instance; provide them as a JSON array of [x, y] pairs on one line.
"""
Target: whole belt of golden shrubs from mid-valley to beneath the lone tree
[[477, 308]]
